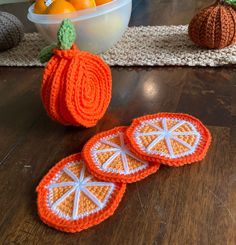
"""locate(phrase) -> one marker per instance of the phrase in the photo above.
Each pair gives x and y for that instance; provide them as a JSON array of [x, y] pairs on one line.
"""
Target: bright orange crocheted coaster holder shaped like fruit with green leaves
[[76, 86]]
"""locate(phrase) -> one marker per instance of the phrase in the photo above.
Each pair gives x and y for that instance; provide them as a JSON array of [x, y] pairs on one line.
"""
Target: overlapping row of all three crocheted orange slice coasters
[[83, 190]]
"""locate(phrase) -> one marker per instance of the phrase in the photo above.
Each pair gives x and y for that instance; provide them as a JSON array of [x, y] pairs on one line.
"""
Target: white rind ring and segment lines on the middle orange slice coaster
[[119, 151]]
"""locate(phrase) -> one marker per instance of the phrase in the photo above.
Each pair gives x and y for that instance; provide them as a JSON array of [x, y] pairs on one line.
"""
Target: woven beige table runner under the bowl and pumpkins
[[140, 46]]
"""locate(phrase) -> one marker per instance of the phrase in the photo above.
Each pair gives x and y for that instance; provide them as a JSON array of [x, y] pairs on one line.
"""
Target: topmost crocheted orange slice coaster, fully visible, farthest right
[[174, 139]]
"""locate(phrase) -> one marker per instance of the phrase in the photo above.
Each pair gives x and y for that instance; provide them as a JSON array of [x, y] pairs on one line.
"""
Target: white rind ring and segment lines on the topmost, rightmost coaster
[[167, 135]]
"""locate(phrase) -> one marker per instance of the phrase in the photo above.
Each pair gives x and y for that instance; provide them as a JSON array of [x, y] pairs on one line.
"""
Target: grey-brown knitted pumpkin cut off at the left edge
[[11, 31]]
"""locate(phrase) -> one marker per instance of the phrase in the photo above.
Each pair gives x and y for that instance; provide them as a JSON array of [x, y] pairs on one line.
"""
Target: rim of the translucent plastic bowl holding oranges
[[77, 15]]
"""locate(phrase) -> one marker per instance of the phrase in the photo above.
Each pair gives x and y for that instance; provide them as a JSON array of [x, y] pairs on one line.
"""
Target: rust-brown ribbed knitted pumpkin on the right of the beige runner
[[215, 26]]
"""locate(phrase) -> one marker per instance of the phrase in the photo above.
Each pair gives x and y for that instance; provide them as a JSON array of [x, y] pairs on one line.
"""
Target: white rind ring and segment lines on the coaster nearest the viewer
[[78, 185]]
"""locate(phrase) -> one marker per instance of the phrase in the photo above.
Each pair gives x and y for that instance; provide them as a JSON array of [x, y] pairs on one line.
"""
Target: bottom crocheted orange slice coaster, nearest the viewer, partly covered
[[71, 200]]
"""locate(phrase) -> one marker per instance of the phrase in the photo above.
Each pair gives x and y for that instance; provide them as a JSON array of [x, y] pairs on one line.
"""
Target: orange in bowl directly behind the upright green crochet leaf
[[60, 7]]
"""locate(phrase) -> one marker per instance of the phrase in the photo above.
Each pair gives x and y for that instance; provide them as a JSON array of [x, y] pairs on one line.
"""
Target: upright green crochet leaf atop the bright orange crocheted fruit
[[66, 35]]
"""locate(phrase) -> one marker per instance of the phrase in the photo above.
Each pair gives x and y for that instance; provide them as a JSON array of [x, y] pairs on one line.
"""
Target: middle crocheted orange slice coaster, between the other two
[[108, 158]]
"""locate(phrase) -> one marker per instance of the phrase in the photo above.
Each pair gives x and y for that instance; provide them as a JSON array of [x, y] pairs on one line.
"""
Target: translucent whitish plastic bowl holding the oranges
[[98, 29]]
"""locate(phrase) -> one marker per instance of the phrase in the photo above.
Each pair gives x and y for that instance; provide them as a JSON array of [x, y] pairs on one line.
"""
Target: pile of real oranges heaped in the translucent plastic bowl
[[65, 6]]
